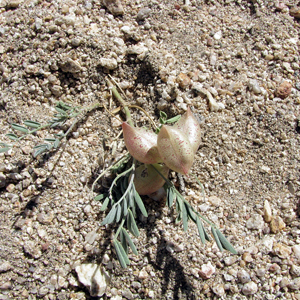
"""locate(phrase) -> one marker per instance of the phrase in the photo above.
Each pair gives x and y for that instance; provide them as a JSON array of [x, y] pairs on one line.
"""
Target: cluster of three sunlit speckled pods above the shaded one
[[174, 146]]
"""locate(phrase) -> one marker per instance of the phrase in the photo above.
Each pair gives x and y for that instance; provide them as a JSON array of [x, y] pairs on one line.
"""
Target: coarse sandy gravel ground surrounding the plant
[[235, 63]]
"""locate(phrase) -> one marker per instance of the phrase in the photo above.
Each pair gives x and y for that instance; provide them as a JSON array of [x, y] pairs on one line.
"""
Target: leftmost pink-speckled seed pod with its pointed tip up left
[[141, 144]]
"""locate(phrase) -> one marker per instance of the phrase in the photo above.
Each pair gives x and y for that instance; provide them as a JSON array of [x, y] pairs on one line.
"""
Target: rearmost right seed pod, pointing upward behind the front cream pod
[[190, 126]]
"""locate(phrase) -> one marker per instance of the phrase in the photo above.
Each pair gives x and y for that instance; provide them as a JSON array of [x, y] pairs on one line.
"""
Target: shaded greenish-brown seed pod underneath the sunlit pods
[[147, 180]]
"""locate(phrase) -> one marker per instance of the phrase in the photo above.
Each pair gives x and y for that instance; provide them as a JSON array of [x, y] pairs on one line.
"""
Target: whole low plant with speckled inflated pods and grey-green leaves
[[143, 170]]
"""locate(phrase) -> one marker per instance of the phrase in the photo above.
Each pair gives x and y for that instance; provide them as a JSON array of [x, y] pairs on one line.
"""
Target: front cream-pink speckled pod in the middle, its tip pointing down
[[175, 149]]
